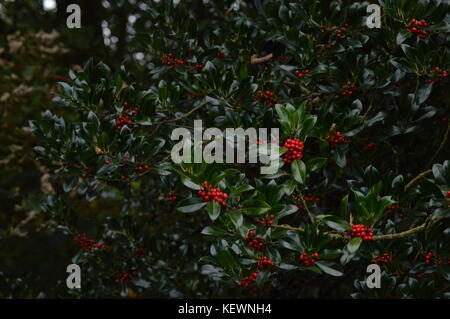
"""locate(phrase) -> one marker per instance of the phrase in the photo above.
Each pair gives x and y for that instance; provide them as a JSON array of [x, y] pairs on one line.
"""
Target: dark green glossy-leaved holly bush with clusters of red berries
[[364, 174]]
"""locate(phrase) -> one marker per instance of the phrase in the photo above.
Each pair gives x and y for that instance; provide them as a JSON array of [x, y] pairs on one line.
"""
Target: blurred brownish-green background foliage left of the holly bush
[[36, 51]]
